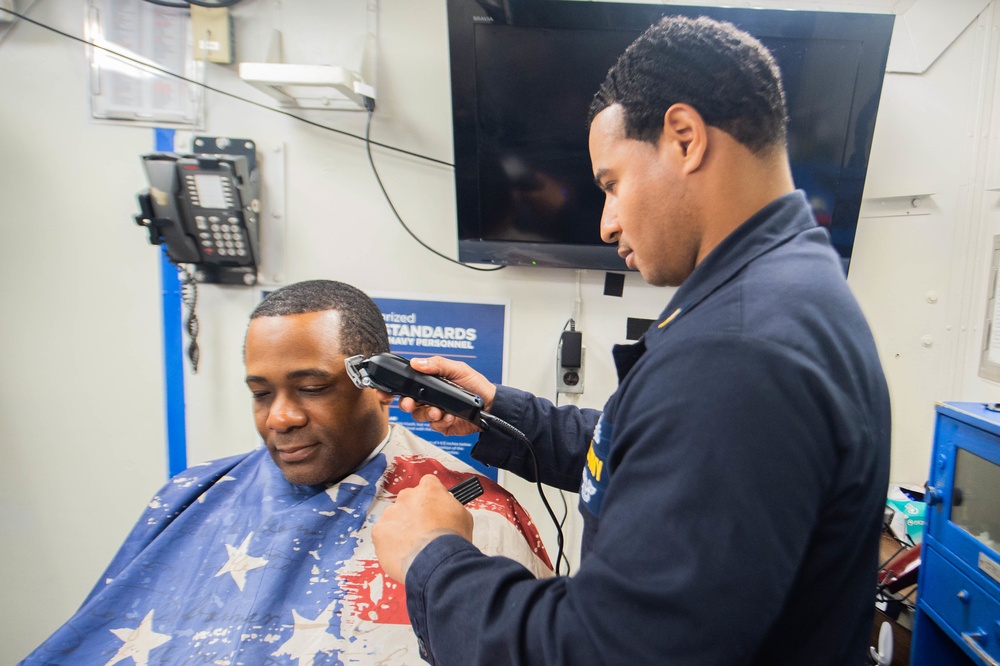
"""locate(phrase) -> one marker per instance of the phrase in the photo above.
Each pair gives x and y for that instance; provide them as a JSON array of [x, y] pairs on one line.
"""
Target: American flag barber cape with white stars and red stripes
[[232, 564]]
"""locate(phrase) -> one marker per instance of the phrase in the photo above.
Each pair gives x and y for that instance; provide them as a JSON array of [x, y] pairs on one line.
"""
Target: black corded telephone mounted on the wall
[[204, 208]]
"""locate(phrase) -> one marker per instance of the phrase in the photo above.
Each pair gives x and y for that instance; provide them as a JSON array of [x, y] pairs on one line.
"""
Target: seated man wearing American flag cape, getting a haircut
[[266, 557]]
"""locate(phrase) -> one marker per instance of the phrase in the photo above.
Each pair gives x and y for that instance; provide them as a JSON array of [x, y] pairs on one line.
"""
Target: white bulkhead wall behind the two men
[[81, 374]]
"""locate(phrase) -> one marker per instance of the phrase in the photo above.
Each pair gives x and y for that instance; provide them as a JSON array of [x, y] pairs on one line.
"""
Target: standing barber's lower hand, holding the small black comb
[[419, 515]]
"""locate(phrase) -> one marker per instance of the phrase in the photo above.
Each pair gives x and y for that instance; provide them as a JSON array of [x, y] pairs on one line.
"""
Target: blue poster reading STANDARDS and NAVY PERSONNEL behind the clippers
[[475, 333]]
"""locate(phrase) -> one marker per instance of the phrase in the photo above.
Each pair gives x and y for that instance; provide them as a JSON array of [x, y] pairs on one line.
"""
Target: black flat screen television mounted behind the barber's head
[[523, 73]]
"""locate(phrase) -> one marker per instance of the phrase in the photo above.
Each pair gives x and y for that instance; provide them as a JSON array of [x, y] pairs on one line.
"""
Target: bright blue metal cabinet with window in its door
[[957, 618]]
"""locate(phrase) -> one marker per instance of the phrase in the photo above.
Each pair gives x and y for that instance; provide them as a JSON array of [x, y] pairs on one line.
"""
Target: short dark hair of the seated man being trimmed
[[362, 327]]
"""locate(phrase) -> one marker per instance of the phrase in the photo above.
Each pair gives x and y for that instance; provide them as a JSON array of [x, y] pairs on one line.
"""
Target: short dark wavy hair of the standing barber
[[728, 76]]
